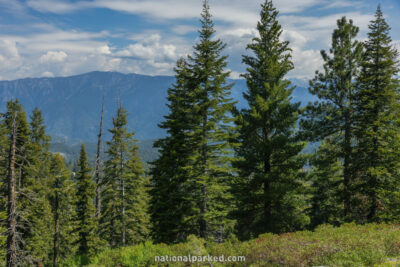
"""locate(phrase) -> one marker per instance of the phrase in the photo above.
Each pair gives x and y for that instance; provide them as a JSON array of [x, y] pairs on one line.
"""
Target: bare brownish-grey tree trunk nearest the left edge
[[12, 245]]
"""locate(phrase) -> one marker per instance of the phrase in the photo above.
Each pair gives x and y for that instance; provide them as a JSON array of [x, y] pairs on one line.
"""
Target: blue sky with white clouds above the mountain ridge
[[47, 38]]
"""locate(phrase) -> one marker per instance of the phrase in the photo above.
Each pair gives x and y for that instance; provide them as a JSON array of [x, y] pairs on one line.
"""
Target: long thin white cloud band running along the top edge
[[234, 11]]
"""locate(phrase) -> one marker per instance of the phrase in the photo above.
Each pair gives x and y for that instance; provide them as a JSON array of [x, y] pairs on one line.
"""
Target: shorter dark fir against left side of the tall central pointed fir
[[170, 208]]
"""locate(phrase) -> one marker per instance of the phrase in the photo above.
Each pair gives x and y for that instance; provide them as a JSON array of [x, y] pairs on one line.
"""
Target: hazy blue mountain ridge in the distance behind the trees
[[71, 105]]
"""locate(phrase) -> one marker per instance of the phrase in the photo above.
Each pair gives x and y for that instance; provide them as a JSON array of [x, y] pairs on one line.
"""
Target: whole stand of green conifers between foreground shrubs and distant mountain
[[222, 173]]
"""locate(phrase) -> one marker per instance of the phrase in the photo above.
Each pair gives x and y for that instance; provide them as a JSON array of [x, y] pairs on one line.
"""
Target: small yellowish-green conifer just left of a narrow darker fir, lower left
[[61, 197]]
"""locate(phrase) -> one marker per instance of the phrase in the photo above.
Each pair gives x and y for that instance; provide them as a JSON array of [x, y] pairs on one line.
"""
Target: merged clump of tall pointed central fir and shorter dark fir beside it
[[191, 179]]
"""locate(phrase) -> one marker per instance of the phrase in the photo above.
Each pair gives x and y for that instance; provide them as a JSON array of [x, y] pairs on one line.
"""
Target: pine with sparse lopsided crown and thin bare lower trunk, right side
[[334, 113]]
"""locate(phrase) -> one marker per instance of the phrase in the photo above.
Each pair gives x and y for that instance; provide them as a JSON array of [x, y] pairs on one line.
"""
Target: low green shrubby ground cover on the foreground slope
[[349, 245]]
